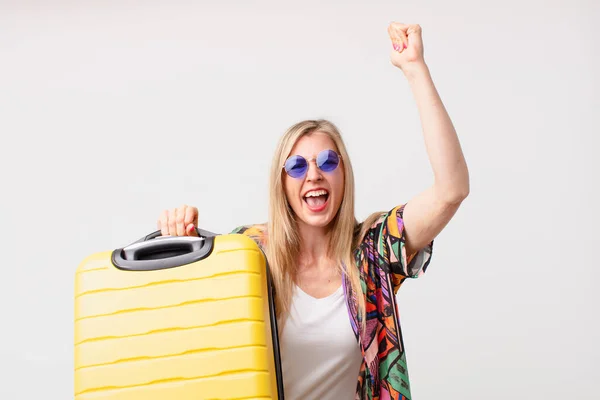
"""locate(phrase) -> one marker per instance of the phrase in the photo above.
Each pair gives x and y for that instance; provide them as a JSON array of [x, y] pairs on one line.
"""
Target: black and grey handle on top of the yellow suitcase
[[155, 252]]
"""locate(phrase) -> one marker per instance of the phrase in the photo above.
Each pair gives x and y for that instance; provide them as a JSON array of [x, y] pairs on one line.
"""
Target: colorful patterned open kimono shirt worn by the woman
[[384, 265]]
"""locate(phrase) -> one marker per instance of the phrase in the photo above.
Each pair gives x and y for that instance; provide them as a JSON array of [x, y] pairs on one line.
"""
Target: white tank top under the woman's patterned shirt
[[320, 355]]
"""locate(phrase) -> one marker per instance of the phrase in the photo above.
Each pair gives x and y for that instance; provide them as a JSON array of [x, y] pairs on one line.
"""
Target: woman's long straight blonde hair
[[283, 240]]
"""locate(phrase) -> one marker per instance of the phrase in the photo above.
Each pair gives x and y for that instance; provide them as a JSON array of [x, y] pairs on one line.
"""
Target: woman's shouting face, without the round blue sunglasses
[[315, 197]]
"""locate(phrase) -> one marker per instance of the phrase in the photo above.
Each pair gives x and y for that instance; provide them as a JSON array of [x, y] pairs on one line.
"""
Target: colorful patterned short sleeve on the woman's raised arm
[[389, 239]]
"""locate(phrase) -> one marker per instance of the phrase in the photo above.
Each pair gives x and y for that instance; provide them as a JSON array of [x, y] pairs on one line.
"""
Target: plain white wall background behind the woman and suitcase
[[112, 111]]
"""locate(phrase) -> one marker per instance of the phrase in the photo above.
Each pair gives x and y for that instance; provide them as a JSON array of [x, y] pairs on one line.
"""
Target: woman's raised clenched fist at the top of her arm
[[407, 46]]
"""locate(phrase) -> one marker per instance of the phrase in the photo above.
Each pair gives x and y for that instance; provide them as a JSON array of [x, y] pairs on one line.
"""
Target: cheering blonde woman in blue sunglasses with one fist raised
[[335, 279]]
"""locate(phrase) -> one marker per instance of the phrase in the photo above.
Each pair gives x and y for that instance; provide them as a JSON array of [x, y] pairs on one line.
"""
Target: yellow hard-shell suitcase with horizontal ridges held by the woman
[[176, 318]]
